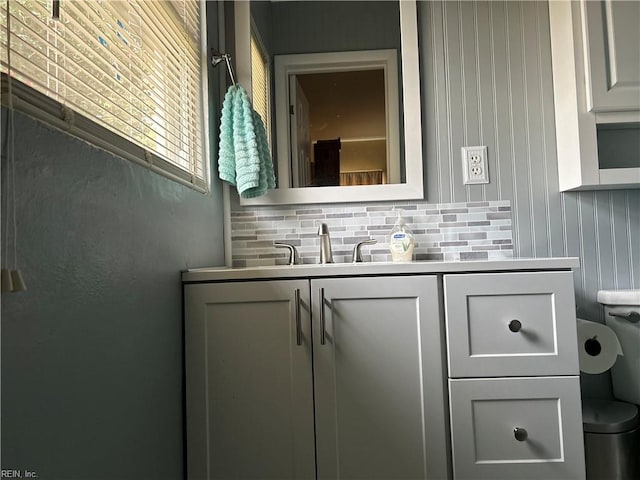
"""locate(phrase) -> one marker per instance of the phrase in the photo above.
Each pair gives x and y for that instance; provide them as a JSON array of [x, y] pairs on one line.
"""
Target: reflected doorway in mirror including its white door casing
[[341, 127]]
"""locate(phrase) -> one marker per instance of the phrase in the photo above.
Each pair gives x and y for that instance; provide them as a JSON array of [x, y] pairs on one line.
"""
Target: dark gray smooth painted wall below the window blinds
[[92, 361]]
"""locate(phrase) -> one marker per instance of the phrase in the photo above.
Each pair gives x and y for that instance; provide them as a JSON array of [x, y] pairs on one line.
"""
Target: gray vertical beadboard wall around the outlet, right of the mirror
[[487, 80]]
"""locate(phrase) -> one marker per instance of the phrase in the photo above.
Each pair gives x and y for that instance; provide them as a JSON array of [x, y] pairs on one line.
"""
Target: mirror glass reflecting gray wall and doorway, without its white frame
[[331, 110]]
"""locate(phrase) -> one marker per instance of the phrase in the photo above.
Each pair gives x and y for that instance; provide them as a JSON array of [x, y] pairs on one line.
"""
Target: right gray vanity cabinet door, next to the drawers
[[379, 389]]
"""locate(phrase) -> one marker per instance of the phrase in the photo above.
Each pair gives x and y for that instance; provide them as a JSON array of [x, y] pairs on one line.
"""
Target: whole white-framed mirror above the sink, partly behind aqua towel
[[337, 77]]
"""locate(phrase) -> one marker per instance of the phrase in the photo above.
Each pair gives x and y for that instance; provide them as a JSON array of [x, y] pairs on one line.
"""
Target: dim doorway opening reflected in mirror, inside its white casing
[[343, 128]]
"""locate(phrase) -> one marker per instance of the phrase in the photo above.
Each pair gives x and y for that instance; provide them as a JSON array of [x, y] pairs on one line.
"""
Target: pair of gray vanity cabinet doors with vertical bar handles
[[370, 405]]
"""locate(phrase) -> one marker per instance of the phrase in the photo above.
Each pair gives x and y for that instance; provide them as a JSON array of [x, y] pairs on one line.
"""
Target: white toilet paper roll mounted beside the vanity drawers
[[598, 347]]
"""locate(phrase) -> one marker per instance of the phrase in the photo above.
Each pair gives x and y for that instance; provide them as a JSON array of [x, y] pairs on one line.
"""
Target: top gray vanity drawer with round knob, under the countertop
[[511, 324]]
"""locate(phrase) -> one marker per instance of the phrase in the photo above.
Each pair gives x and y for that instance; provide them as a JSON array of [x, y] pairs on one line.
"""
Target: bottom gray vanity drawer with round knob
[[545, 412]]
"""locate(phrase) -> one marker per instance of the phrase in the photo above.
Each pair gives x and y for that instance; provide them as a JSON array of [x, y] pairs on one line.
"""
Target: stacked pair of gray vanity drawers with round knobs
[[514, 388]]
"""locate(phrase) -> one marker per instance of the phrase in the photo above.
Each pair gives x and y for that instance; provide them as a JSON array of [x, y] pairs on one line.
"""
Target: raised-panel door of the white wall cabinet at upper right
[[612, 63]]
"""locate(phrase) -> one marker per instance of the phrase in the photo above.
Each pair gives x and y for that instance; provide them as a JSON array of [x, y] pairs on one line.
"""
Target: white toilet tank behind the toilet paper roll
[[621, 314]]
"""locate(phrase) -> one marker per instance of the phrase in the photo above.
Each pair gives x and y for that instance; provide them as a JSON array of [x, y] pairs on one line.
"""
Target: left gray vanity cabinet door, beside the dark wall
[[249, 382]]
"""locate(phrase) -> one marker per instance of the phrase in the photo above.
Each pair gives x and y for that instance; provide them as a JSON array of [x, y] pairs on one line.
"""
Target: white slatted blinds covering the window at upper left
[[132, 67]]
